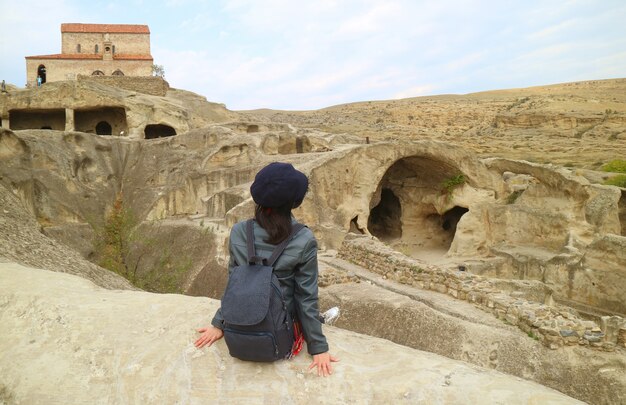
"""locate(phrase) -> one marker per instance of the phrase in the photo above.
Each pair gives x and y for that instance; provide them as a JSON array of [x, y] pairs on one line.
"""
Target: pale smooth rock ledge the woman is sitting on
[[129, 347]]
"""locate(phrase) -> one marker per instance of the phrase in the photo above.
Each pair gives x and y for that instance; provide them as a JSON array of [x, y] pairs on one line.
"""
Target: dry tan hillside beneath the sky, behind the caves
[[579, 124]]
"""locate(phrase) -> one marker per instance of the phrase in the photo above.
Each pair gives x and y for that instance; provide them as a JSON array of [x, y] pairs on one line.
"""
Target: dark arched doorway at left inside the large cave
[[384, 220]]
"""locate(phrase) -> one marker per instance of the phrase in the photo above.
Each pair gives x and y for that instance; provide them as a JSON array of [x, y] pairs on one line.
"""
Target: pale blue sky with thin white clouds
[[302, 55]]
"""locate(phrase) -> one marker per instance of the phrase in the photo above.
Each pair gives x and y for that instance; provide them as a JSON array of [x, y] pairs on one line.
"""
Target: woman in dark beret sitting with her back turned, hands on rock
[[276, 190]]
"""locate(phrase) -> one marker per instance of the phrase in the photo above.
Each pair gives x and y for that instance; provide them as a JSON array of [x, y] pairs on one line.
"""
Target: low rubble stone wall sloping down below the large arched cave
[[555, 326]]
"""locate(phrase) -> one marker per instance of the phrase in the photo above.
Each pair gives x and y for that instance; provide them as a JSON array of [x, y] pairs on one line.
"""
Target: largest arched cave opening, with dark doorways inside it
[[412, 209]]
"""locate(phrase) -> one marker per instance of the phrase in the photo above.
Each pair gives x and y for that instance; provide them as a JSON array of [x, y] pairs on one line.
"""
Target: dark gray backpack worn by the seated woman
[[257, 323]]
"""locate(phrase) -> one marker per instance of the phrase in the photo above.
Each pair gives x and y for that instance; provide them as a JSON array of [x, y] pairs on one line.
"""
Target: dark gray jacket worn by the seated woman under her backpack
[[296, 270]]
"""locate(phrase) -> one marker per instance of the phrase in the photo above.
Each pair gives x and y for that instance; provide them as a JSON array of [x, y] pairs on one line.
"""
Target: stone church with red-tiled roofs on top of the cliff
[[95, 50]]
